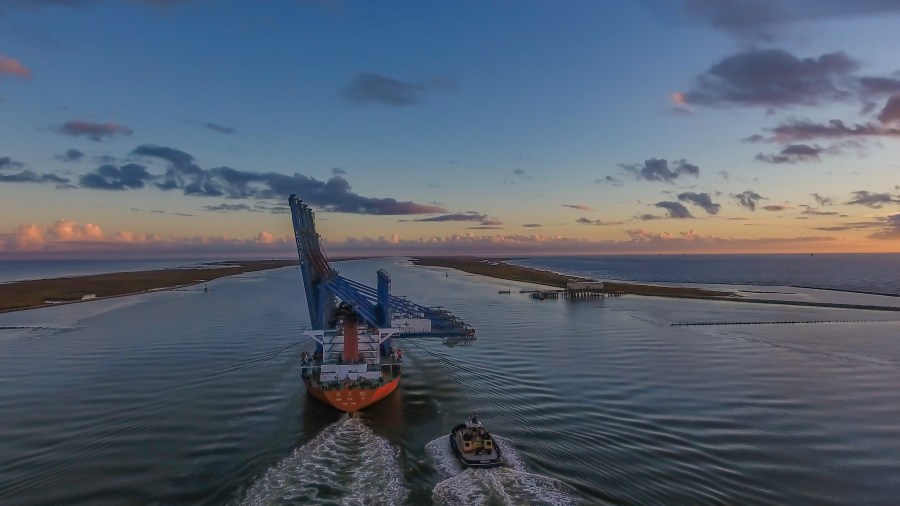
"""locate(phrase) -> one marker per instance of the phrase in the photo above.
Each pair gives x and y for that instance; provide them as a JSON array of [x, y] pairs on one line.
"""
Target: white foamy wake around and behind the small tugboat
[[509, 484]]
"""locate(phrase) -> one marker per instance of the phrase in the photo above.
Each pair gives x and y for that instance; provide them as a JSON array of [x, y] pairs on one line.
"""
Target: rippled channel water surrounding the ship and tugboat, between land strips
[[192, 398]]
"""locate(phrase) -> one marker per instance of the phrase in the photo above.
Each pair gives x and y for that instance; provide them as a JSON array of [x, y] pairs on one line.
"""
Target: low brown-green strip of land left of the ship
[[35, 293]]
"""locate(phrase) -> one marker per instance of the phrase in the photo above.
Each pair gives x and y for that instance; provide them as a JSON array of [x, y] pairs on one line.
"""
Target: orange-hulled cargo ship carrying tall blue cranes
[[355, 364]]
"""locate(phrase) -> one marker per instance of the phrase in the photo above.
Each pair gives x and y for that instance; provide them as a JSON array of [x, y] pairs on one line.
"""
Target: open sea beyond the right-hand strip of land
[[872, 273]]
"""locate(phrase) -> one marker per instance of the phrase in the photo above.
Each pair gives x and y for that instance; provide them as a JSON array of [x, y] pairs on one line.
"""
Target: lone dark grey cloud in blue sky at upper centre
[[368, 87]]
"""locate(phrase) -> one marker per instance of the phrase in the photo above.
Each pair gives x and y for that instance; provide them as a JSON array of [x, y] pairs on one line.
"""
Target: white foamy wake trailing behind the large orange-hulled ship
[[345, 464]]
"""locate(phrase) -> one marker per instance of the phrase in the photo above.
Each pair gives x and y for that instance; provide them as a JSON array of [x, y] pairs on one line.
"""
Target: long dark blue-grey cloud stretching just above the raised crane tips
[[183, 173]]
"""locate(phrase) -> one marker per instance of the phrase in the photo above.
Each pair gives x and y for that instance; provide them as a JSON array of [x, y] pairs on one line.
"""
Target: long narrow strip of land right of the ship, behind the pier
[[499, 269]]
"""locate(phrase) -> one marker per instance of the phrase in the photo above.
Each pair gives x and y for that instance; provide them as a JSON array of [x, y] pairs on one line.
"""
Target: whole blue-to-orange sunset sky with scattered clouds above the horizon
[[178, 128]]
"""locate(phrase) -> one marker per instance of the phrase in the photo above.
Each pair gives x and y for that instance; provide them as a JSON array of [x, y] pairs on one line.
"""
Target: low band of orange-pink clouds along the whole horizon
[[69, 238]]
